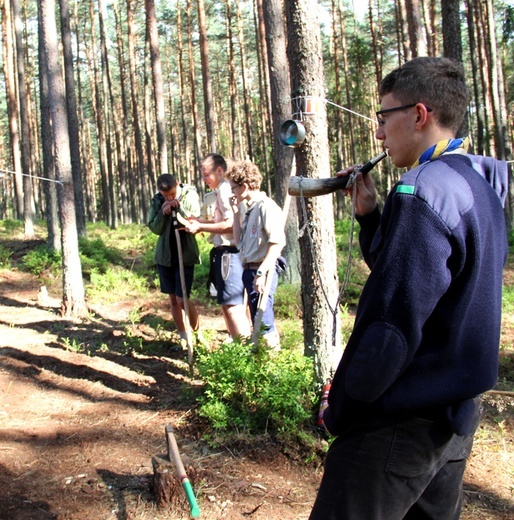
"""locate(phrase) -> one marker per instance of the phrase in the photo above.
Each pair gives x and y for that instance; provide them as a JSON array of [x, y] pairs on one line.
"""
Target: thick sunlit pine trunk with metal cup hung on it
[[319, 269]]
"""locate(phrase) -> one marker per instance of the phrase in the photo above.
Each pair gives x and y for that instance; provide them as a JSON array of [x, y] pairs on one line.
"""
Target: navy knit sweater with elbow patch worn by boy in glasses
[[427, 330]]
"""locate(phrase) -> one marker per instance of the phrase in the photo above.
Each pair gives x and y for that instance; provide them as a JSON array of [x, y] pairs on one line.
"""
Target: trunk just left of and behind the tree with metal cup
[[283, 157]]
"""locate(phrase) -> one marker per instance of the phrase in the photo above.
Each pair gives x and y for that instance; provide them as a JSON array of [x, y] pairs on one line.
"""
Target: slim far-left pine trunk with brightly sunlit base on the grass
[[28, 203]]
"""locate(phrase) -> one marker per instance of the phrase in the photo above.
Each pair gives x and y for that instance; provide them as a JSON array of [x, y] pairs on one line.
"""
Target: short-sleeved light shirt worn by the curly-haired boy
[[262, 225]]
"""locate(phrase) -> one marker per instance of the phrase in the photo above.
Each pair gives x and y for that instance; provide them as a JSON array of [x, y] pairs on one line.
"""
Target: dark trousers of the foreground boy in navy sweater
[[384, 469]]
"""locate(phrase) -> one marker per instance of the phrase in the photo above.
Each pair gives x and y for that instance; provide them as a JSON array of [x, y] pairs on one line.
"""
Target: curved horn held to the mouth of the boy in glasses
[[304, 186]]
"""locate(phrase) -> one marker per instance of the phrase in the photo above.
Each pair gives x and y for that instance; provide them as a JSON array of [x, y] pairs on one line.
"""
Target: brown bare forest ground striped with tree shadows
[[79, 428]]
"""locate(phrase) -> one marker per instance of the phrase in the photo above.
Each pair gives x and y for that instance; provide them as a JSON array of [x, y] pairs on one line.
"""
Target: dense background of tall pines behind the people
[[152, 86]]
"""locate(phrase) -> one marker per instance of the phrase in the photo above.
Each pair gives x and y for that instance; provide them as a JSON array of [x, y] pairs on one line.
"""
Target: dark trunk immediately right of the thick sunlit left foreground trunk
[[73, 124]]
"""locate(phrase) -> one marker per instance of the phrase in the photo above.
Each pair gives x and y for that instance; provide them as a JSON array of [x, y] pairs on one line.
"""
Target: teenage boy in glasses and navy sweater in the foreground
[[404, 401]]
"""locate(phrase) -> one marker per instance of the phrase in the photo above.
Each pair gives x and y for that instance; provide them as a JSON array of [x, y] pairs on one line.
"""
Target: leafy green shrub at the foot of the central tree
[[257, 391]]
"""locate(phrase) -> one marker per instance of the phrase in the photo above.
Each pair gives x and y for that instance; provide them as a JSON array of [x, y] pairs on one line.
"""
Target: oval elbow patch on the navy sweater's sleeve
[[376, 362]]
